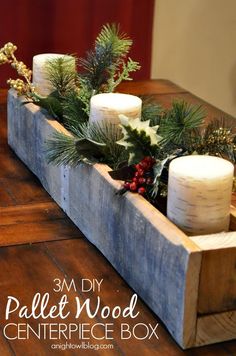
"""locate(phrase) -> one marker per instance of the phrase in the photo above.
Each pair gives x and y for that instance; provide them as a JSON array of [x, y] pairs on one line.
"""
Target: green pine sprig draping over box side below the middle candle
[[91, 143]]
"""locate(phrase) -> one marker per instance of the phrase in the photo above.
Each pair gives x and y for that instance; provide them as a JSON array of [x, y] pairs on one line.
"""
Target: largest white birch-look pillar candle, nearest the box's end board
[[199, 194]]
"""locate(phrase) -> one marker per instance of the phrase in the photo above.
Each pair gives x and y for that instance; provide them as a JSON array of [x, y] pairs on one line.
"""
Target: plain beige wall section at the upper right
[[194, 45]]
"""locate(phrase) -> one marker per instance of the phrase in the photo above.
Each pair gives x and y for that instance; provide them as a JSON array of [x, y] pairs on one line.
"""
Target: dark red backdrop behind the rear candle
[[71, 26]]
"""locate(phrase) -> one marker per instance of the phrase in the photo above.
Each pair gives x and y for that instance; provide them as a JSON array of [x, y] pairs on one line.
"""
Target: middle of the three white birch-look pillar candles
[[108, 106]]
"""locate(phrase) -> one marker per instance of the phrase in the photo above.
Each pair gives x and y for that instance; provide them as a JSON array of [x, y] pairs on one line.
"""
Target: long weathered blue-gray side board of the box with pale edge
[[157, 259]]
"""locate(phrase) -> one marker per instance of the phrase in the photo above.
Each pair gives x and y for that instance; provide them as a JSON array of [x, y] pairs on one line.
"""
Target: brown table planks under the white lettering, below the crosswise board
[[32, 268]]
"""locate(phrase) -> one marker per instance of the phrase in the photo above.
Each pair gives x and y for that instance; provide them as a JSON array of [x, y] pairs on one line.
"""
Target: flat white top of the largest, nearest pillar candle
[[202, 167]]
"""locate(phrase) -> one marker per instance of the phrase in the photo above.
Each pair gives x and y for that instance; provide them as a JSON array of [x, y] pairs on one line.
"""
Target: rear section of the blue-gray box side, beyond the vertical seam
[[27, 133]]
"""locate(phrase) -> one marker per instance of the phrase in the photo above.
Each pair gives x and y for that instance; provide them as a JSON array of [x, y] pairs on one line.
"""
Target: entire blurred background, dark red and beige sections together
[[191, 42]]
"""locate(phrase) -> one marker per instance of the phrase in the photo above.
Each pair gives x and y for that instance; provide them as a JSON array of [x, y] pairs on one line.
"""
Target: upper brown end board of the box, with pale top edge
[[217, 286]]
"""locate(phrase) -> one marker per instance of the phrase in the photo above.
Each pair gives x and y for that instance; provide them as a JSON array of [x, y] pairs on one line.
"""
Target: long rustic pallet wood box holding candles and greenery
[[189, 282]]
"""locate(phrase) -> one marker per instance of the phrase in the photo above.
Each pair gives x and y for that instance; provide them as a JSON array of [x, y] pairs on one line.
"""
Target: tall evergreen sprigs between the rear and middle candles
[[103, 68]]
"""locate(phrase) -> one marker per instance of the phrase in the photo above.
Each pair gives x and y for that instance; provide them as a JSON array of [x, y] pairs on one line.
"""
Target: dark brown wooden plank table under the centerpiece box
[[40, 244]]
